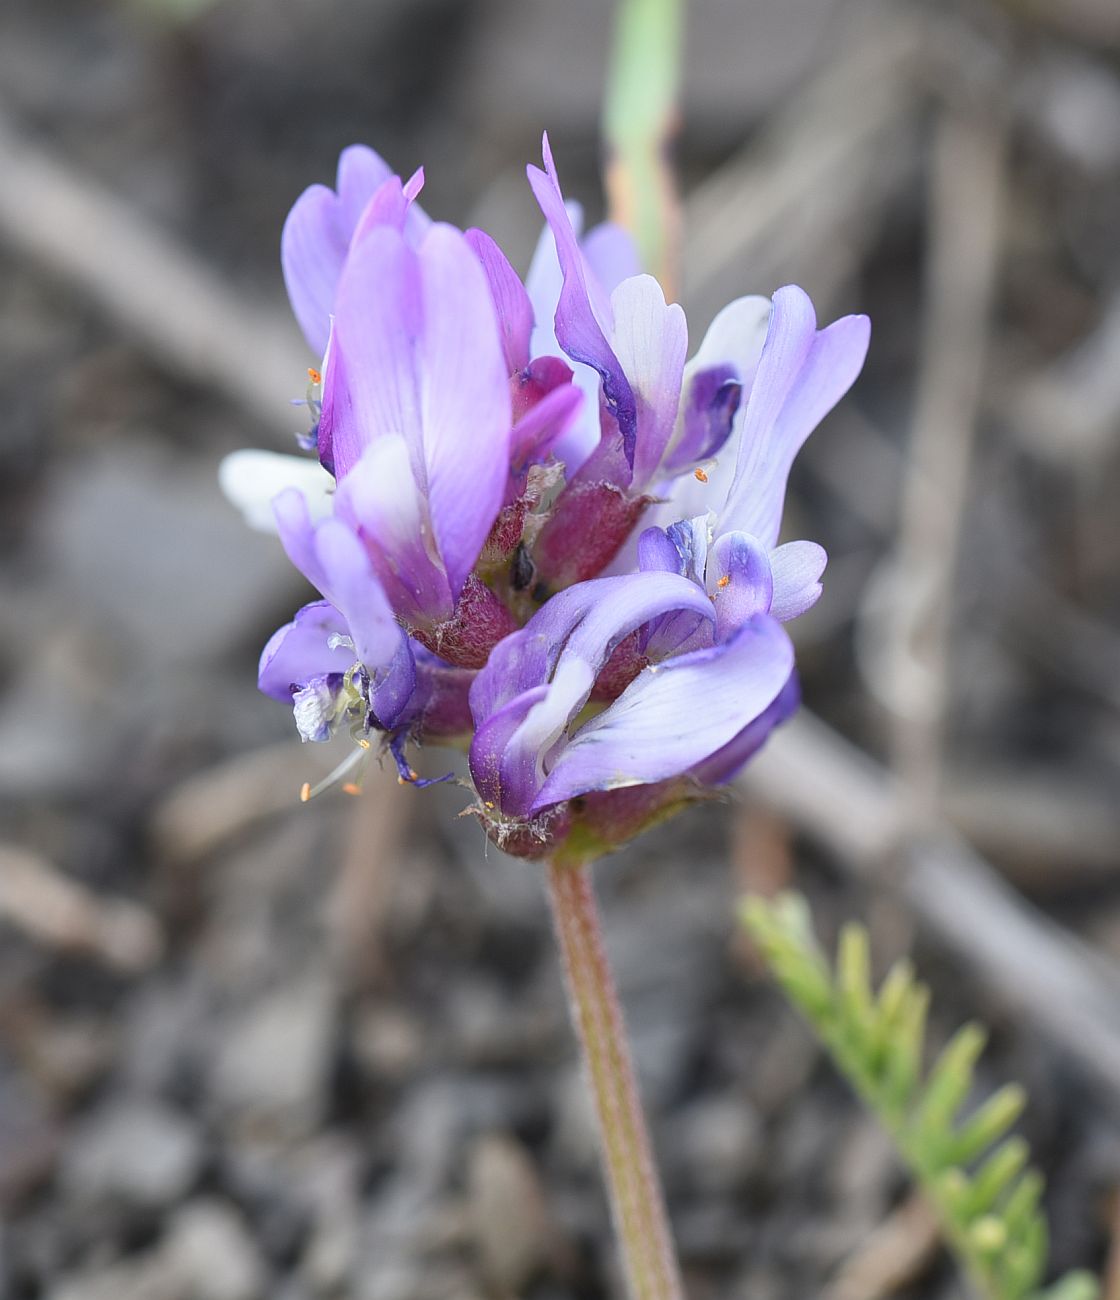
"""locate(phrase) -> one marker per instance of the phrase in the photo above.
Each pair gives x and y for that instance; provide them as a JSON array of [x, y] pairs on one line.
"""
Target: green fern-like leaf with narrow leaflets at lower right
[[975, 1173]]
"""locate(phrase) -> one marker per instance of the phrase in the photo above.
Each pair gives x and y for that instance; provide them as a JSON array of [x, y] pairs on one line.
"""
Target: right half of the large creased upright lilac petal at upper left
[[466, 409]]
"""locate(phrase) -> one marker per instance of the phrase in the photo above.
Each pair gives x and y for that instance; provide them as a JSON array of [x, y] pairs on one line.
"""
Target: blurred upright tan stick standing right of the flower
[[967, 183]]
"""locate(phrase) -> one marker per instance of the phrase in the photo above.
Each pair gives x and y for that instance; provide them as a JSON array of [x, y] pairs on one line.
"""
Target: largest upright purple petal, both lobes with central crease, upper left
[[416, 353]]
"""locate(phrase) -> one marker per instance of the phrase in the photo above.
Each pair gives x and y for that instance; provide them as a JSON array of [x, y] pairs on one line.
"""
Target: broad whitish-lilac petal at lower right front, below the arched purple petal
[[675, 716]]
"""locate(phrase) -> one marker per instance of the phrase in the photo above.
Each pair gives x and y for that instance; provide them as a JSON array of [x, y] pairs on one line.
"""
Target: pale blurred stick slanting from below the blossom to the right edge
[[1053, 981]]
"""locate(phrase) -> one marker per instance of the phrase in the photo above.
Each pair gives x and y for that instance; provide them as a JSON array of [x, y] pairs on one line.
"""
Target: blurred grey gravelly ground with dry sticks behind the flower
[[251, 1048]]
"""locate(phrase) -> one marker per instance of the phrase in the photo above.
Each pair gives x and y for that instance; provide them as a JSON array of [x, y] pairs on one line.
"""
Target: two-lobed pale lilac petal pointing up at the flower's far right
[[801, 378]]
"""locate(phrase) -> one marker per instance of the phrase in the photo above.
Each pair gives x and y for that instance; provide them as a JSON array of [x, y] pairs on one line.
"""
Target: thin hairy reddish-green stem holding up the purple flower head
[[637, 1203]]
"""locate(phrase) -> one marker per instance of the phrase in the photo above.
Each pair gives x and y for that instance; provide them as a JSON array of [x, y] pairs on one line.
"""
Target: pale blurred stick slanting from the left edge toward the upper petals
[[157, 292]]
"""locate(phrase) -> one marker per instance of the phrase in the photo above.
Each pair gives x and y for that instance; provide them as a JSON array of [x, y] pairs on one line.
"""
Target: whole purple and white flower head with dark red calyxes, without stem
[[537, 527]]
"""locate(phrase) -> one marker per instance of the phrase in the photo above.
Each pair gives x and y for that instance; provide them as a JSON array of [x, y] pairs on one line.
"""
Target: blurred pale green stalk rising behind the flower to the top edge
[[640, 120]]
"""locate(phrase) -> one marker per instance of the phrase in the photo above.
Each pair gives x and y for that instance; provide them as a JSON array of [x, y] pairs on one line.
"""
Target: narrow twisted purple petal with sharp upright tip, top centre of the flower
[[581, 315]]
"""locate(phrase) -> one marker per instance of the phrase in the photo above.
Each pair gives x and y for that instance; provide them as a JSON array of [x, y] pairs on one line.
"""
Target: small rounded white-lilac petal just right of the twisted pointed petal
[[650, 341]]
